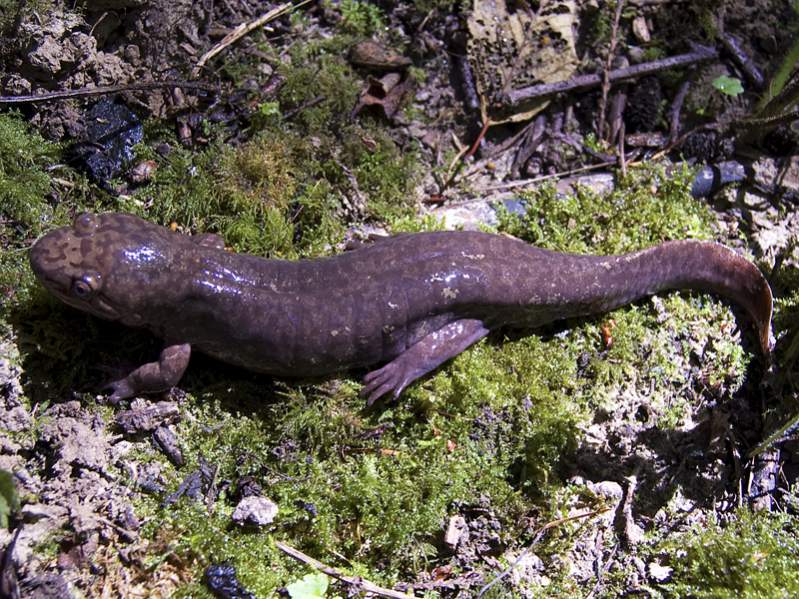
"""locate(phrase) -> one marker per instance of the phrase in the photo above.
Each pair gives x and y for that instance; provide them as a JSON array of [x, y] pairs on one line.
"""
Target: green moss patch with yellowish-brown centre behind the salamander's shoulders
[[290, 190]]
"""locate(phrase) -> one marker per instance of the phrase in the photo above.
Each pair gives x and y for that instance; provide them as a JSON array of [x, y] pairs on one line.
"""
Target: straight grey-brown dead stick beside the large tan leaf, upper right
[[583, 82]]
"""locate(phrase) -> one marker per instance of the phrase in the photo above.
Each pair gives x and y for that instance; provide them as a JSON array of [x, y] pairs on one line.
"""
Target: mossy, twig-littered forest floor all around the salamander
[[644, 451]]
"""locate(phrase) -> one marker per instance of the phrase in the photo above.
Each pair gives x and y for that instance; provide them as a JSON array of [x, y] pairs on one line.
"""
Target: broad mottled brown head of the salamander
[[110, 265]]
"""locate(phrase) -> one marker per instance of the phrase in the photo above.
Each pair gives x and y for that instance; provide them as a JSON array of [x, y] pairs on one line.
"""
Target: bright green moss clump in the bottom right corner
[[754, 555]]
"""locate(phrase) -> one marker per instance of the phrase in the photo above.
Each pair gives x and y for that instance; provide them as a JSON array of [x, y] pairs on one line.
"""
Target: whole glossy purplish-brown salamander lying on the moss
[[410, 302]]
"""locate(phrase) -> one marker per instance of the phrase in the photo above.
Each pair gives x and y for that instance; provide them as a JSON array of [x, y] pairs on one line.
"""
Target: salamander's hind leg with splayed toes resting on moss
[[422, 357]]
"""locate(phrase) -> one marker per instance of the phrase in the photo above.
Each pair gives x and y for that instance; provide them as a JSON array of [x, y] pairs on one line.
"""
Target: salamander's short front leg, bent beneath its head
[[153, 376]]
